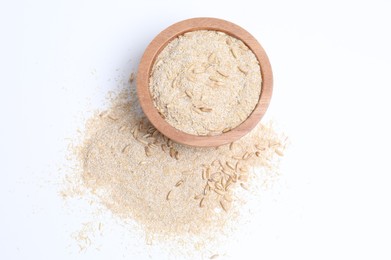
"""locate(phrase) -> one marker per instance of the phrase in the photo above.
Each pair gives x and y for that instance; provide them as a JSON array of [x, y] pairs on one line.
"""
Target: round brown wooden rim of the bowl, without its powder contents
[[194, 24]]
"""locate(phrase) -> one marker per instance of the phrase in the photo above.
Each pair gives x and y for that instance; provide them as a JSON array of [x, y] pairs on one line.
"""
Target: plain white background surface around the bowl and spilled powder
[[332, 67]]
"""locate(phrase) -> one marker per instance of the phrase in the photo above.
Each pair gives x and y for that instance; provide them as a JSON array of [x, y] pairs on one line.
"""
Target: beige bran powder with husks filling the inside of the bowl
[[205, 82]]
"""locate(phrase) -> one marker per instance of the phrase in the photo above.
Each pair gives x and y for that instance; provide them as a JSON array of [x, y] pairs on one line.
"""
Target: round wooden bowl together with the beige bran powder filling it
[[204, 82]]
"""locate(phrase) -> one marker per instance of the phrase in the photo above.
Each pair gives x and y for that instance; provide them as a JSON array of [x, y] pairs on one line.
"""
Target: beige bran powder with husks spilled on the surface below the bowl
[[168, 188]]
